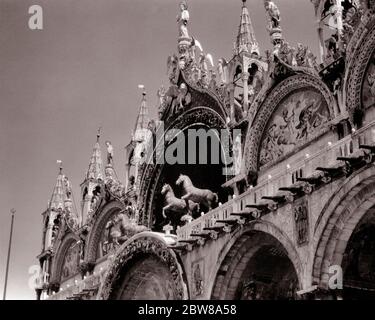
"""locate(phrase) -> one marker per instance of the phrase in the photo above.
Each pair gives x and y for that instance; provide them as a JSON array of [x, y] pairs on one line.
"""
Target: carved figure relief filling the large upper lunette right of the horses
[[298, 118]]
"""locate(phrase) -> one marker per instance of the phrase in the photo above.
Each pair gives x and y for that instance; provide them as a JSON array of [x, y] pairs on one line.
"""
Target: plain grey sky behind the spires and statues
[[58, 85]]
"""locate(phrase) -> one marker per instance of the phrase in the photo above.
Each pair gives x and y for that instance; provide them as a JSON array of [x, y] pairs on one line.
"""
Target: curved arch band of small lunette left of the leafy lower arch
[[97, 229]]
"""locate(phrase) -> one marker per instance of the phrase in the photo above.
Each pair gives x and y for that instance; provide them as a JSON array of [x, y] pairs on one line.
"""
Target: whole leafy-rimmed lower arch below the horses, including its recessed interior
[[141, 248]]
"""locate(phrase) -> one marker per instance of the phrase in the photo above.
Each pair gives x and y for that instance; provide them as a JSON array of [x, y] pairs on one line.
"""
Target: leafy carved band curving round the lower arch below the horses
[[142, 246]]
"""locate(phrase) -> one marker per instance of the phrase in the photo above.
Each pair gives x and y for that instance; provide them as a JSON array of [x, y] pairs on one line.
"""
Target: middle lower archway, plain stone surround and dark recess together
[[258, 267]]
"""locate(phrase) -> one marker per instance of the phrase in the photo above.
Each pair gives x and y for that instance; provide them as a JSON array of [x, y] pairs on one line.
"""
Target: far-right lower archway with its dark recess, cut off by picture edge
[[345, 236]]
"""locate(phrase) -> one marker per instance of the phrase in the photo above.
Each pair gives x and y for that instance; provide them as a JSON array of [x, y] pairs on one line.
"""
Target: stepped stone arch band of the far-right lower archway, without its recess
[[338, 220]]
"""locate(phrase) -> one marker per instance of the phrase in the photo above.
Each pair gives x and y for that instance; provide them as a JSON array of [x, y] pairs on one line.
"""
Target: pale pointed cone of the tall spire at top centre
[[246, 41]]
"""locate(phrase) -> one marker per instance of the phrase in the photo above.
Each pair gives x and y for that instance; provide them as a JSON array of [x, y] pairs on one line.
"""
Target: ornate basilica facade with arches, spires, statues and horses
[[288, 213]]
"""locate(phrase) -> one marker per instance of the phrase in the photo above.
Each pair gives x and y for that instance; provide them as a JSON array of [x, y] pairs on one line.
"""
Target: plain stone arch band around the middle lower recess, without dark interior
[[236, 254]]
